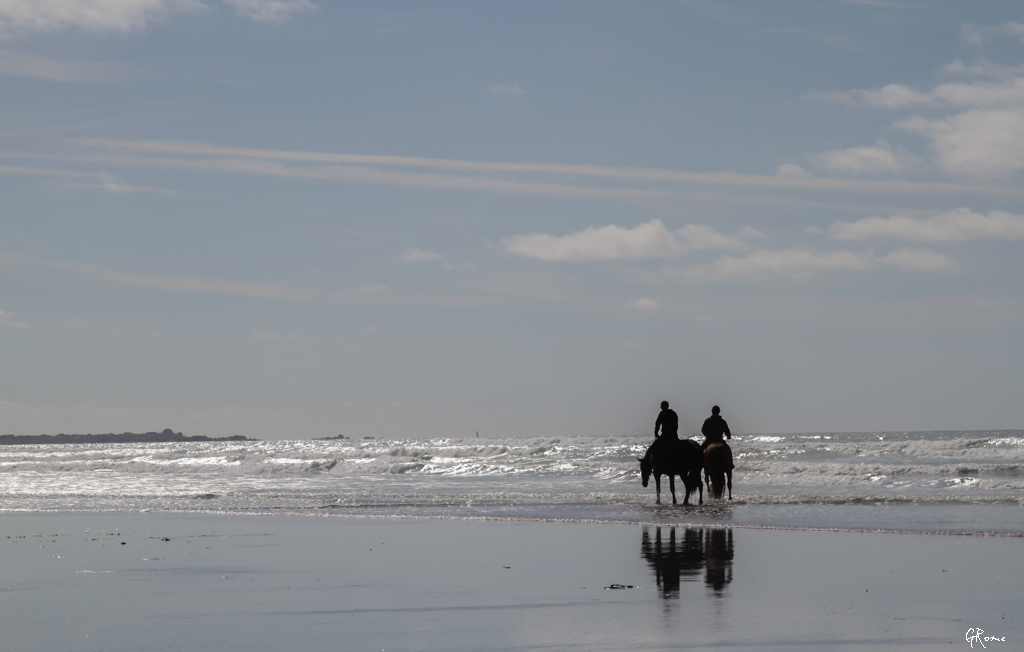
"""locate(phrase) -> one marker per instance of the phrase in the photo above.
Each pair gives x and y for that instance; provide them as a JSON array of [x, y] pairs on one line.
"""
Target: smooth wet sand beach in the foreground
[[181, 582]]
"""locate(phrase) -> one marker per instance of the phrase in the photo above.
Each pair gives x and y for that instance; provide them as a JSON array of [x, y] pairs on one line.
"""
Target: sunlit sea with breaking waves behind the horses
[[957, 483]]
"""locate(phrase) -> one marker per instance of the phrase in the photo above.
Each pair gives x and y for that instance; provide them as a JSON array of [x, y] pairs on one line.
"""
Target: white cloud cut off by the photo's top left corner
[[101, 16]]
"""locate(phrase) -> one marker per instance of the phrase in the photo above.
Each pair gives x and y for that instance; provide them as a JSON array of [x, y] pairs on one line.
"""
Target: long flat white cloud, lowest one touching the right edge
[[961, 225]]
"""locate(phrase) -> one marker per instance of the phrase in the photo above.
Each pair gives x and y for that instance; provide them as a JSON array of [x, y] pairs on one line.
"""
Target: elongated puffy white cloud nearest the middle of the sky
[[607, 243]]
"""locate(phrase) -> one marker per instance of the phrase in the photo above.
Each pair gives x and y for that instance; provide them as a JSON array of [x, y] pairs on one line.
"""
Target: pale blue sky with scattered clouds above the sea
[[302, 219]]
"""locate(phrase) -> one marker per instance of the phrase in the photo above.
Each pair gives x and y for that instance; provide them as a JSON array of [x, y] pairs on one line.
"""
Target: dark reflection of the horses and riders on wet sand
[[676, 558]]
